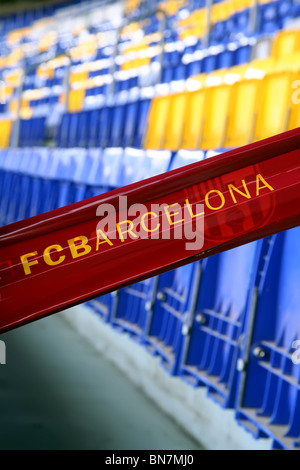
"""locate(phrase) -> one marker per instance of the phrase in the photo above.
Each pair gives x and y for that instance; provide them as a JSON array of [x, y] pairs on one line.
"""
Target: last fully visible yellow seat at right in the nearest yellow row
[[273, 105]]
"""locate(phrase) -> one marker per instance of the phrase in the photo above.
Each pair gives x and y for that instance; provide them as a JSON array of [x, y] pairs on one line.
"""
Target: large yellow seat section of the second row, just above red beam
[[228, 109]]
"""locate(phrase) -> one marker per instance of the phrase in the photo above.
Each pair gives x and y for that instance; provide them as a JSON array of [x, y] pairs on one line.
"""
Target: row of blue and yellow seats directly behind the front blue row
[[193, 119]]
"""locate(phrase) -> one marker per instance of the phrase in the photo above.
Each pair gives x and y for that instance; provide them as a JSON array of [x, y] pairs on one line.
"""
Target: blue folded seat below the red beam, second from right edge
[[216, 324]]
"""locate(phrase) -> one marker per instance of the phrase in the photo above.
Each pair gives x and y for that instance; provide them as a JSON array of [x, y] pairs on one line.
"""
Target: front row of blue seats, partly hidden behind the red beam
[[215, 323]]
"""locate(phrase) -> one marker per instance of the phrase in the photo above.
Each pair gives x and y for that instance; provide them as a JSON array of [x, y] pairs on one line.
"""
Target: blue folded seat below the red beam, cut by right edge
[[269, 401]]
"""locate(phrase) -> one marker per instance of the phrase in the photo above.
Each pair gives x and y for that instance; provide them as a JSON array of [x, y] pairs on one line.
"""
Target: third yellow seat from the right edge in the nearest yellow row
[[242, 112]]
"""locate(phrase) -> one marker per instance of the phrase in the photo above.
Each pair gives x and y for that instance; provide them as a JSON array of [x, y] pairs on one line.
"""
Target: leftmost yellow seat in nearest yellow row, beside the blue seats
[[157, 122]]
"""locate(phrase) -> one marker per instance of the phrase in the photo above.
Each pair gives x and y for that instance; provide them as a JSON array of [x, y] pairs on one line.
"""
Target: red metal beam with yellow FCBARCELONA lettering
[[61, 258]]
